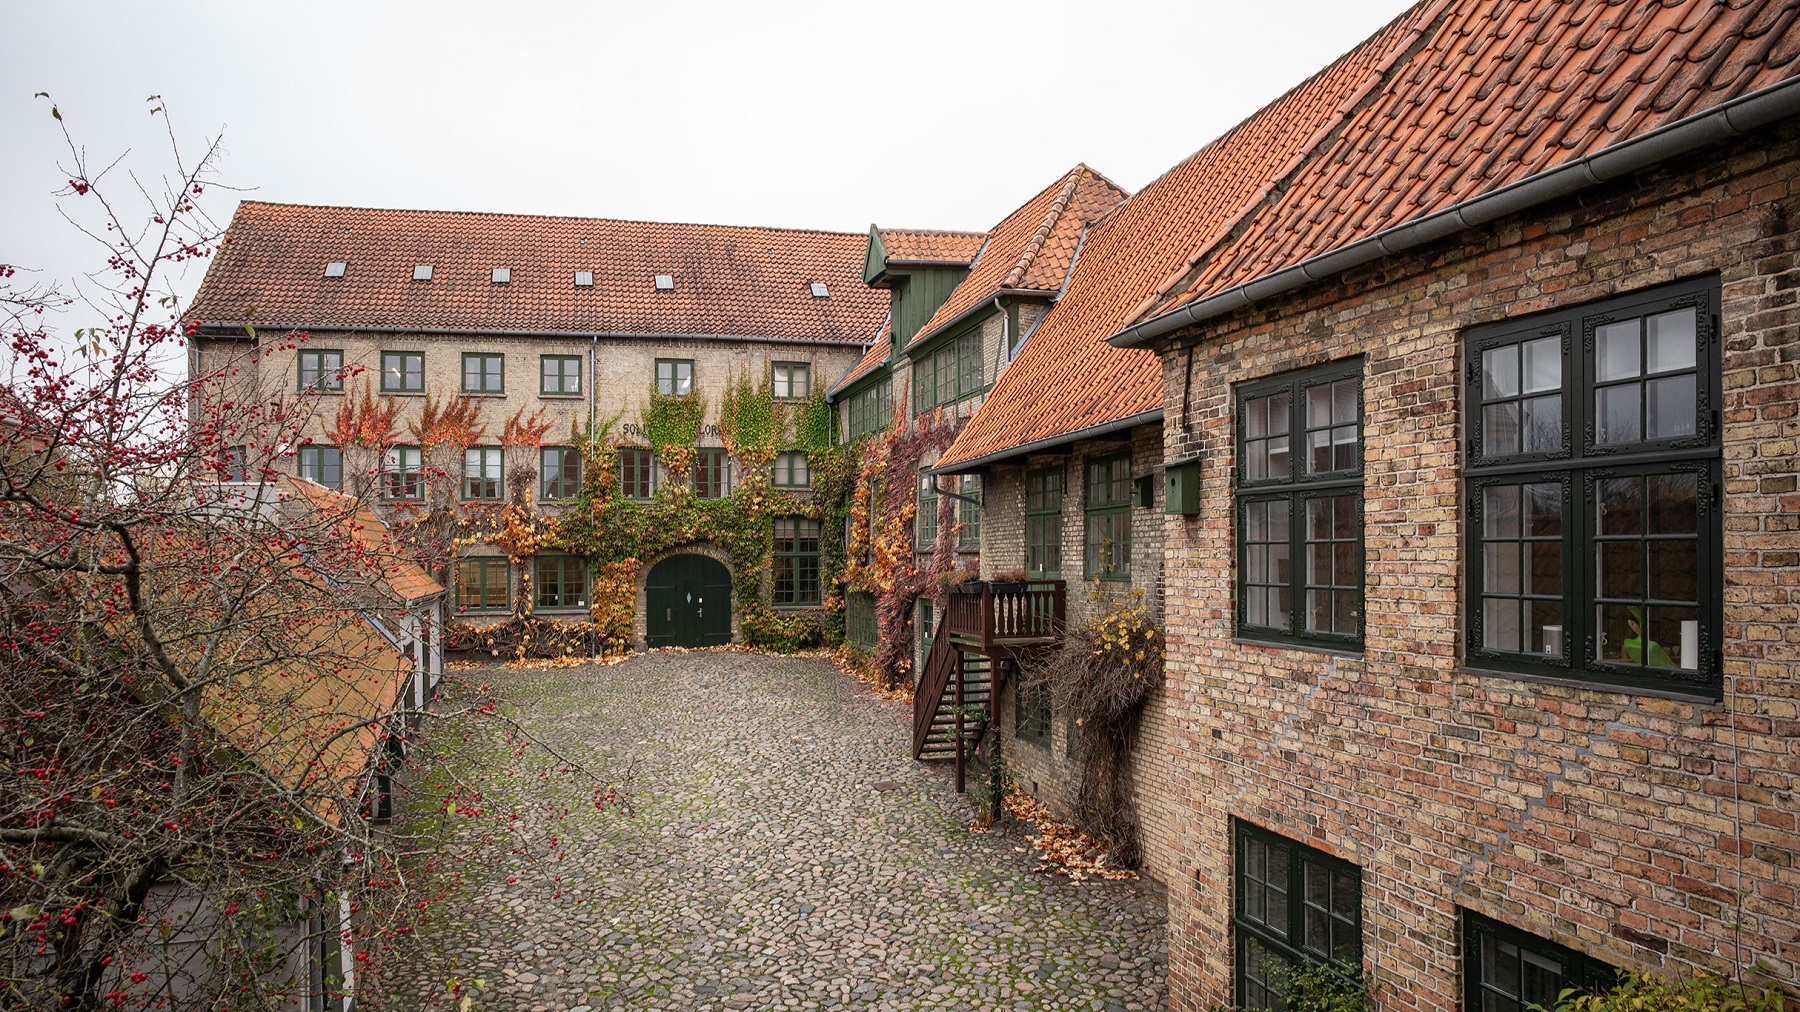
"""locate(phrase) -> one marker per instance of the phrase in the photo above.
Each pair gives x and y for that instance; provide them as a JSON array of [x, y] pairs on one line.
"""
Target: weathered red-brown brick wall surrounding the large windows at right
[[1637, 829]]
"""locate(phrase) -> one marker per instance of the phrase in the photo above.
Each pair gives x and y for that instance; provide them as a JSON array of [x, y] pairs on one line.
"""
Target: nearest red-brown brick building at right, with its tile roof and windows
[[1486, 620]]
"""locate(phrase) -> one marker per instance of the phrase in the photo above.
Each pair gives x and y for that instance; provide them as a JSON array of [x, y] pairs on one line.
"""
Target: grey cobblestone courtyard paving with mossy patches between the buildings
[[764, 869]]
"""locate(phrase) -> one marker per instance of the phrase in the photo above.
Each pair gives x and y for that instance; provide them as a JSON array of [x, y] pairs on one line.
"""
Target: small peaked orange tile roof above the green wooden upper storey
[[1034, 248]]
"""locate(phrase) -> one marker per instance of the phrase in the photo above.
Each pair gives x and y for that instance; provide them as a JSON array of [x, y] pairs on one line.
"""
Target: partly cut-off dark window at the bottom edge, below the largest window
[[1509, 971]]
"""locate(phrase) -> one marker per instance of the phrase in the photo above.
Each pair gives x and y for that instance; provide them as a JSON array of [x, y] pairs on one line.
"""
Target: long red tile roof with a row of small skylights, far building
[[730, 282]]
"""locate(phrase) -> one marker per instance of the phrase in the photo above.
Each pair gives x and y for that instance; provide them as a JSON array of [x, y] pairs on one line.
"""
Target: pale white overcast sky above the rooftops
[[823, 116]]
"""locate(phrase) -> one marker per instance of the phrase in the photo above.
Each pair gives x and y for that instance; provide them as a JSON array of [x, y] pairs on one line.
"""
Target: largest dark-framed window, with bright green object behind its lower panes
[[1594, 492]]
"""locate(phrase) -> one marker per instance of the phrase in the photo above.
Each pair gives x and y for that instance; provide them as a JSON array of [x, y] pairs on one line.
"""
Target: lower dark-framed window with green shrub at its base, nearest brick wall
[[1293, 905]]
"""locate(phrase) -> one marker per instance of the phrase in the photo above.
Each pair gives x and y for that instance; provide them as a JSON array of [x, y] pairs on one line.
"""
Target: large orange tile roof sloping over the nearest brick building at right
[[1448, 102]]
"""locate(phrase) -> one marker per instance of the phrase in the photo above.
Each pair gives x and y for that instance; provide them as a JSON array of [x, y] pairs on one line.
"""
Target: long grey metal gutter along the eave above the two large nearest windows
[[1680, 138]]
